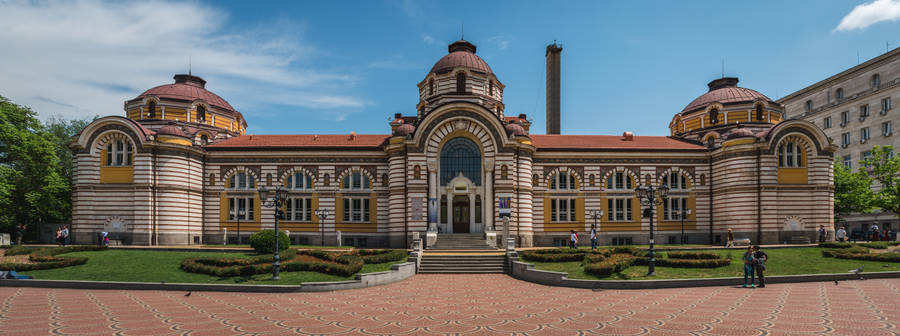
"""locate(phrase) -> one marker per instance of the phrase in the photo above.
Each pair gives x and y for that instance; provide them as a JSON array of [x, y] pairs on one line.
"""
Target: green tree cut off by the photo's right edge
[[884, 168]]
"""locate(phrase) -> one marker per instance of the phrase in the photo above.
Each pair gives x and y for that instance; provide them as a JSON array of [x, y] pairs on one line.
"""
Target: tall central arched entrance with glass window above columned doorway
[[460, 187]]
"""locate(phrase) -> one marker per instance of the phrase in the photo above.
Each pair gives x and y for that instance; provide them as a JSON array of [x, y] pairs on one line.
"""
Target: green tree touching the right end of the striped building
[[852, 191]]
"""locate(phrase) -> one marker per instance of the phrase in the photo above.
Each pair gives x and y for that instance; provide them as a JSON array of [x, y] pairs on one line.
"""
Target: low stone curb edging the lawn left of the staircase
[[398, 272]]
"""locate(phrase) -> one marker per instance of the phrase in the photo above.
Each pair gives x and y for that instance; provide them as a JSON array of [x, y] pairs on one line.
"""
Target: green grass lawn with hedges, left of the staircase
[[157, 266]]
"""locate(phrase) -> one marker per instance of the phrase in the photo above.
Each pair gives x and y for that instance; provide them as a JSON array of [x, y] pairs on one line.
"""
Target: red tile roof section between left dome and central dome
[[304, 141]]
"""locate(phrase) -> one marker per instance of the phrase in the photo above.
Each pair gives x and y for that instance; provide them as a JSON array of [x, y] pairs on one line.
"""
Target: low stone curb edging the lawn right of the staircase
[[526, 272]]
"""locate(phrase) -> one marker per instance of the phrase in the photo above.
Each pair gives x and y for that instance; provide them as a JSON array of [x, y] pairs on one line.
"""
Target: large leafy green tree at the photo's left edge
[[31, 187]]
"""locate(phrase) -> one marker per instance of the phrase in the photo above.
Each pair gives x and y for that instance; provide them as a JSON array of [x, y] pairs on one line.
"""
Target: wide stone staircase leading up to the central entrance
[[462, 254]]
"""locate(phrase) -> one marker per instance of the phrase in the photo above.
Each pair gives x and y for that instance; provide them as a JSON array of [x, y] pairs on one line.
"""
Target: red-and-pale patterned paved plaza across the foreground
[[463, 304]]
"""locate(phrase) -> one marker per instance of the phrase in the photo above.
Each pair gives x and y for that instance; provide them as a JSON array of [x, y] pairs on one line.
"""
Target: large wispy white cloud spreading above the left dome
[[84, 58]]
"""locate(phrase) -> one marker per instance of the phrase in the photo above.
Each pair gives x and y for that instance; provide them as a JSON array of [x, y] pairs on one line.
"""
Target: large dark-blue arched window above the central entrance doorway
[[460, 155]]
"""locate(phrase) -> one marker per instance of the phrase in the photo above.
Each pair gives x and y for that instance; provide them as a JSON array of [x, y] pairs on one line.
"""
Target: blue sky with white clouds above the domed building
[[335, 67]]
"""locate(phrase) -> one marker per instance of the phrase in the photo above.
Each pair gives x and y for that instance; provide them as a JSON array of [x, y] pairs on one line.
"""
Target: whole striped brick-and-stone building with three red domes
[[451, 167]]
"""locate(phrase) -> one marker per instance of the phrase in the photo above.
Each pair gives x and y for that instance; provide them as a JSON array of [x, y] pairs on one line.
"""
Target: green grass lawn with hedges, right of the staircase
[[787, 261]]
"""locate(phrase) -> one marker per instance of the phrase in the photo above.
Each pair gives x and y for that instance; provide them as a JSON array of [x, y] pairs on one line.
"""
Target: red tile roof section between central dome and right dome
[[614, 142]]
